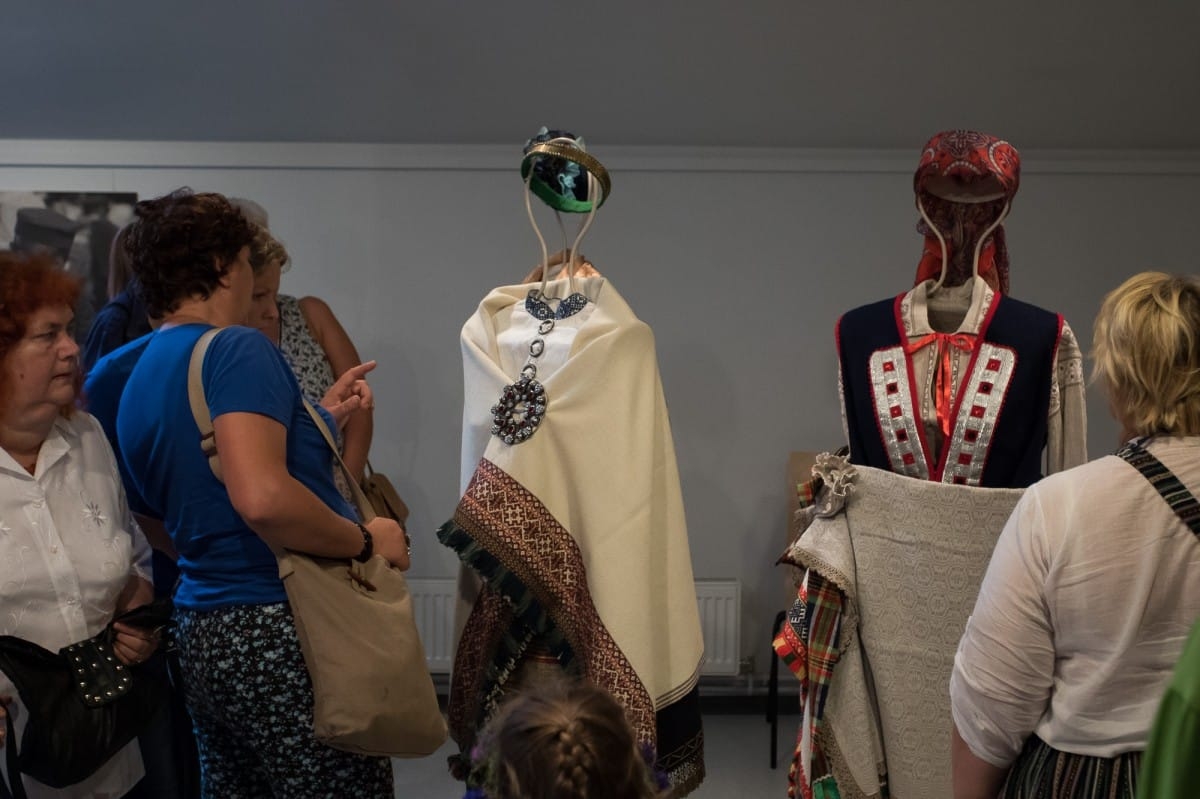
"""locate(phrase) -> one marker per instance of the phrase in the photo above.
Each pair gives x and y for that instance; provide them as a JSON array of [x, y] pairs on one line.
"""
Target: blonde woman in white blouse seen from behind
[[1095, 582]]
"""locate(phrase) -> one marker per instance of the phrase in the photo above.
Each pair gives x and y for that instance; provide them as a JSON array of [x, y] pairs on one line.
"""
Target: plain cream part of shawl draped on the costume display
[[603, 466]]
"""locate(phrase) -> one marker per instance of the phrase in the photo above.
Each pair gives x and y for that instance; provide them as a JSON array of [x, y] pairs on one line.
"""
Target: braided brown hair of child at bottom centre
[[563, 742]]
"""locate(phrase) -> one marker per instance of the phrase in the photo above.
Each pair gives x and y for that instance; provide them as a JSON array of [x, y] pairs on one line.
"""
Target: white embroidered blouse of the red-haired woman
[[68, 548]]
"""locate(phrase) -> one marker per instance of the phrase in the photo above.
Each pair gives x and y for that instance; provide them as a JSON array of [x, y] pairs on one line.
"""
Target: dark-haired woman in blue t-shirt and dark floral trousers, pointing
[[247, 684]]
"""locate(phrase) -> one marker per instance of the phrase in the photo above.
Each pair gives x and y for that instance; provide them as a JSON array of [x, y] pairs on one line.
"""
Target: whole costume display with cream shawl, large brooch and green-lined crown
[[571, 527]]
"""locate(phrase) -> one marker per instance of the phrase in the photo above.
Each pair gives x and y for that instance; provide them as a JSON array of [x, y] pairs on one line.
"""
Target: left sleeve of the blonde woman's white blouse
[[1005, 665]]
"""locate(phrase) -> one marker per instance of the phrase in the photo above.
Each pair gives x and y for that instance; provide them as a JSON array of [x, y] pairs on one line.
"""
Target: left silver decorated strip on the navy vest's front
[[892, 395]]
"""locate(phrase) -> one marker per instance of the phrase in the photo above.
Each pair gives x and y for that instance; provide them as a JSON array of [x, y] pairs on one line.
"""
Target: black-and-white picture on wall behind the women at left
[[79, 230]]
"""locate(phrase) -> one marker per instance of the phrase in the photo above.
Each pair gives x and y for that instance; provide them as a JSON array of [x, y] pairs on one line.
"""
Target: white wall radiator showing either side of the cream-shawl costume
[[721, 621]]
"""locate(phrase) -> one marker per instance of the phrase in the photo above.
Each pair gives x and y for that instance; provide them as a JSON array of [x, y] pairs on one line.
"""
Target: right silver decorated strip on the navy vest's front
[[976, 424]]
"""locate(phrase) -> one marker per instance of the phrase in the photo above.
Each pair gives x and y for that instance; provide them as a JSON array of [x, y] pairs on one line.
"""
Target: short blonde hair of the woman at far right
[[1147, 350]]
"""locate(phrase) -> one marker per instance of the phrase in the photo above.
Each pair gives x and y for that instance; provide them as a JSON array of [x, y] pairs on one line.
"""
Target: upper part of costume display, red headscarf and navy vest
[[956, 381]]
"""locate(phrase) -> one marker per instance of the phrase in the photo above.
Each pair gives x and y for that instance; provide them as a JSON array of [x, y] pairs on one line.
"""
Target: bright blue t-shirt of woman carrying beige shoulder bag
[[221, 561]]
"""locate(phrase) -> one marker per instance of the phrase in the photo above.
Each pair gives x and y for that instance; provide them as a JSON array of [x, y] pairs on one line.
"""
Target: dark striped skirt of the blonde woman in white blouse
[[1045, 773]]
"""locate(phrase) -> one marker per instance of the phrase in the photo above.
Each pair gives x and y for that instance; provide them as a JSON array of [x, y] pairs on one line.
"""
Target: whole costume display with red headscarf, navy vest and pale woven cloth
[[953, 383]]
